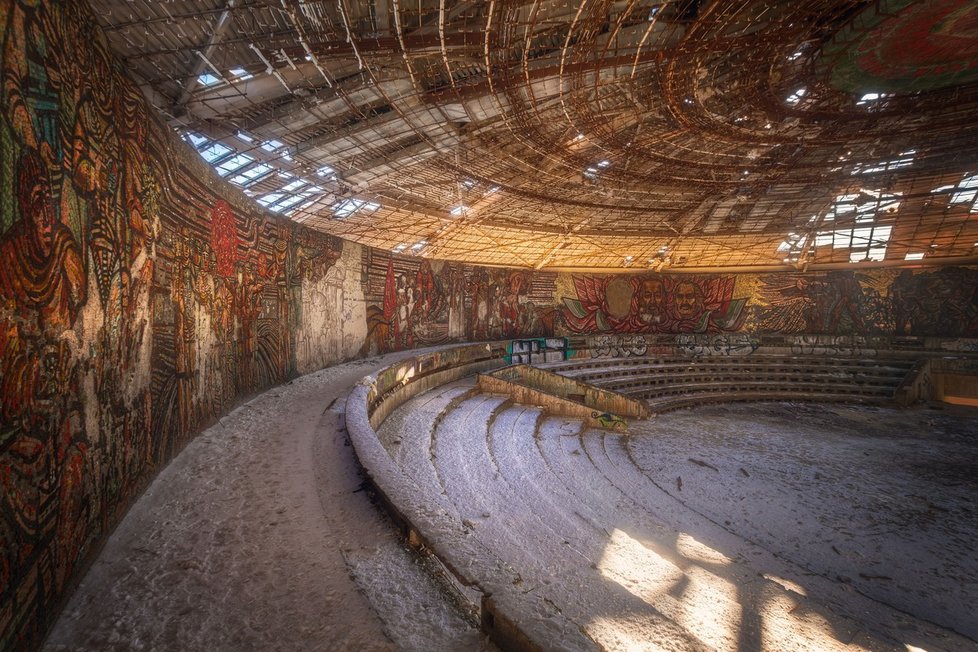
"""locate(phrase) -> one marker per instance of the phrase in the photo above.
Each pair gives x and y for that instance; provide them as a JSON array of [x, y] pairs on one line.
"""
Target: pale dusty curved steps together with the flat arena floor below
[[768, 526]]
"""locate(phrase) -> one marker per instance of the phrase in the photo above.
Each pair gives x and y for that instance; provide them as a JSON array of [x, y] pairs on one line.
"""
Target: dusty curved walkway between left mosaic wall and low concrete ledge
[[260, 535]]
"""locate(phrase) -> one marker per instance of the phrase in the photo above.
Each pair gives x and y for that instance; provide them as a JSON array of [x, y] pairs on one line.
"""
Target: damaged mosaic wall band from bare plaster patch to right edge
[[418, 302]]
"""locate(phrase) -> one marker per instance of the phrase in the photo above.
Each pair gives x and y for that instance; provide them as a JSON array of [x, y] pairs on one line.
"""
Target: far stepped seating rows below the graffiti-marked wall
[[671, 382]]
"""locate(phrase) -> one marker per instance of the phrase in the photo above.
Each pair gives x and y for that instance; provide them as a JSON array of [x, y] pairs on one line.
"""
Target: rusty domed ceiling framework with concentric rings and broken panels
[[692, 134]]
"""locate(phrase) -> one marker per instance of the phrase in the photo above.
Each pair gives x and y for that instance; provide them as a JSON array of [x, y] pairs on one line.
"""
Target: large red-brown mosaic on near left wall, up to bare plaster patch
[[137, 304]]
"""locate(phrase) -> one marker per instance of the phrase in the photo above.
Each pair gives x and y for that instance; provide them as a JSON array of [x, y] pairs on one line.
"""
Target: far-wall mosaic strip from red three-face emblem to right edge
[[906, 302]]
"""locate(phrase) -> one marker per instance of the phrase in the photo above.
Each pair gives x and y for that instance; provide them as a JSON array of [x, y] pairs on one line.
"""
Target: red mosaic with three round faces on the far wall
[[653, 304]]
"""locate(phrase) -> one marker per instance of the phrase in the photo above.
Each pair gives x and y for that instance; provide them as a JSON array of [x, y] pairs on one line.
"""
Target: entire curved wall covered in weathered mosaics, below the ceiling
[[141, 298]]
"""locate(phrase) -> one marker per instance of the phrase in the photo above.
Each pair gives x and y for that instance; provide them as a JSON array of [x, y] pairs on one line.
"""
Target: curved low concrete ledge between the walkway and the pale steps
[[512, 619]]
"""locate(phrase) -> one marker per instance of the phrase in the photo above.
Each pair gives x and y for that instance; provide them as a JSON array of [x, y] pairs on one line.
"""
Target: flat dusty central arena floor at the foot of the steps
[[881, 500]]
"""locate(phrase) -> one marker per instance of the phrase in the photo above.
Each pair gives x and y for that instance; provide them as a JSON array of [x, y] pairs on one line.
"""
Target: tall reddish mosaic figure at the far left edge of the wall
[[42, 288]]
